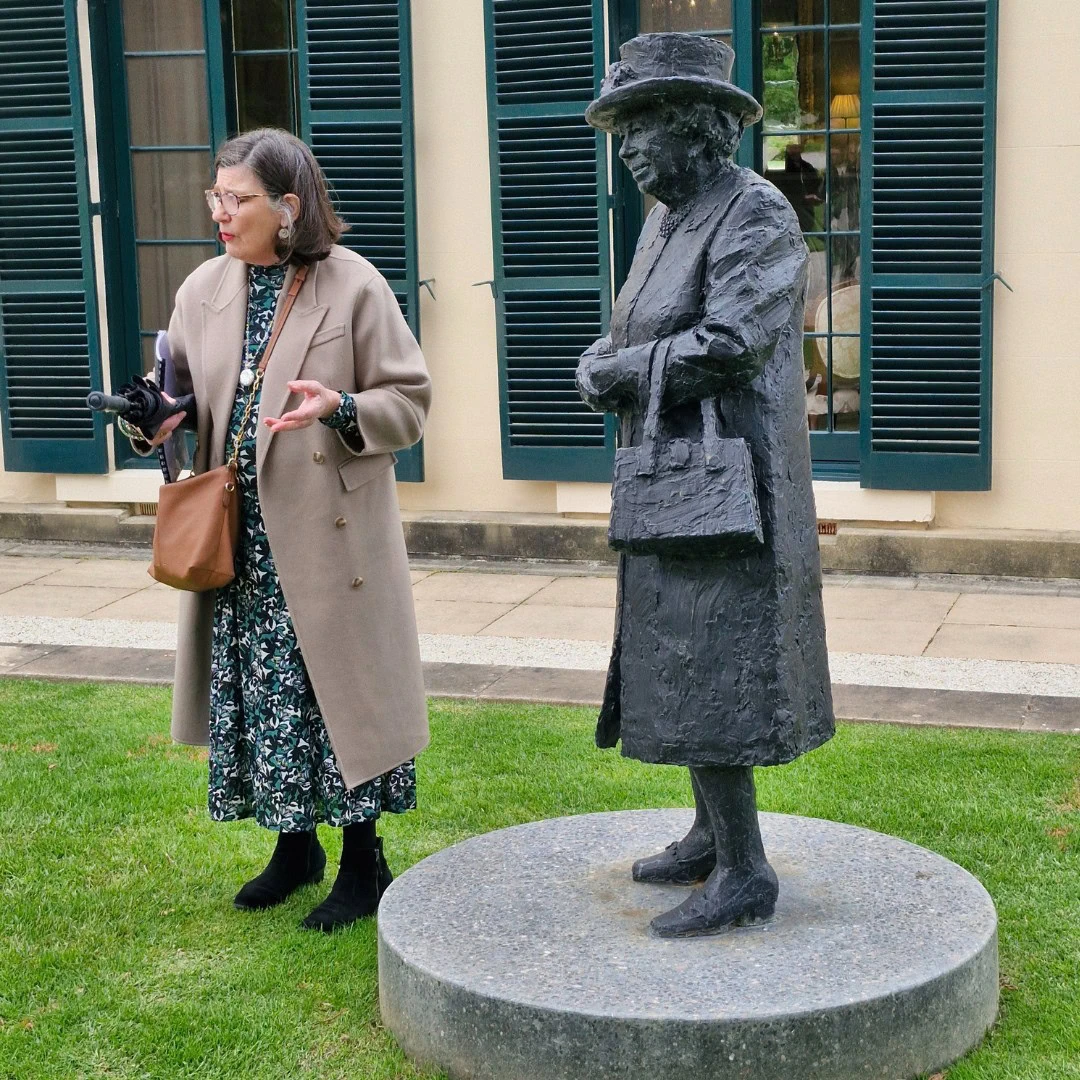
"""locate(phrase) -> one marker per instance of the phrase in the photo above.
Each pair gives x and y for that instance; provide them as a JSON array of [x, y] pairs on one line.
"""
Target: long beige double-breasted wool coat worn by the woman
[[331, 508]]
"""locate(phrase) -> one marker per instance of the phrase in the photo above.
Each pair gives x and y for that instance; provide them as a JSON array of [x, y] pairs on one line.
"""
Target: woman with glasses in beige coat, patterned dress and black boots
[[304, 673]]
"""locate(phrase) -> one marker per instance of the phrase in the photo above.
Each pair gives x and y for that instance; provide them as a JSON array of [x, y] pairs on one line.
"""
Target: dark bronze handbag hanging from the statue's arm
[[694, 499]]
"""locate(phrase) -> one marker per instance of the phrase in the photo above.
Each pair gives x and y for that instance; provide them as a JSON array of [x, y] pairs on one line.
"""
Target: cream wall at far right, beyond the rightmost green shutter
[[1036, 344]]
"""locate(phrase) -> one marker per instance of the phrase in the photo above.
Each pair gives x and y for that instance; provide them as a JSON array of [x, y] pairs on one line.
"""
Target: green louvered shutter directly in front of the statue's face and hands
[[550, 223]]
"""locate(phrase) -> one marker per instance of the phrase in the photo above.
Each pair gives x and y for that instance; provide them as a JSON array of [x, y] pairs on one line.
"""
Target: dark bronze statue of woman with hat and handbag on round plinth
[[720, 659]]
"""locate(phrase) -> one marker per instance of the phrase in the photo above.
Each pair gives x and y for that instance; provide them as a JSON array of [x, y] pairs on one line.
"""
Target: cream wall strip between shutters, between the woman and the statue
[[463, 447]]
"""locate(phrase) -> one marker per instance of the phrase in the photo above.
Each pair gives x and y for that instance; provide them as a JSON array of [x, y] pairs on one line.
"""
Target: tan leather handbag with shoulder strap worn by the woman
[[198, 528]]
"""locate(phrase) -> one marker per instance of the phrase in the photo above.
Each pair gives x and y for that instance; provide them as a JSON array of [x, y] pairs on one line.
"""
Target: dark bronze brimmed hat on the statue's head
[[671, 67]]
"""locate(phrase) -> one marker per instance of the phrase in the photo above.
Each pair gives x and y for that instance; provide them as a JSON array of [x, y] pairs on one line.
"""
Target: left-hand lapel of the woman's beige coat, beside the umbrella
[[224, 318]]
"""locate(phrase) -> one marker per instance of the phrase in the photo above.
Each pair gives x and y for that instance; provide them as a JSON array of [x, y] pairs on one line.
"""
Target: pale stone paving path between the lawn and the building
[[544, 632]]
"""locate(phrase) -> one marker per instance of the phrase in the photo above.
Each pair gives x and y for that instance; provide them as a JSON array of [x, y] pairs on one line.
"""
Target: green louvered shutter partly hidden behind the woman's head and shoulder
[[357, 115]]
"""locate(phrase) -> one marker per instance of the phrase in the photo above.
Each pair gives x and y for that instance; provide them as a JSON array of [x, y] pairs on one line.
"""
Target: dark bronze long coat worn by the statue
[[720, 661]]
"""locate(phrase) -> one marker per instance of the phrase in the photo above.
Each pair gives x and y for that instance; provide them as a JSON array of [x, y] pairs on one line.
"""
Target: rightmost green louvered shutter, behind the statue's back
[[931, 65]]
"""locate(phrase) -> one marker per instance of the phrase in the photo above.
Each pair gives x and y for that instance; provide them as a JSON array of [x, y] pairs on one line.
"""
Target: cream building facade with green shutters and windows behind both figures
[[927, 146]]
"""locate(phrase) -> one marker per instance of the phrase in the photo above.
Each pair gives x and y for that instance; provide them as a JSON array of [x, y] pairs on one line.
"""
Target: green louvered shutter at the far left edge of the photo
[[49, 348]]
